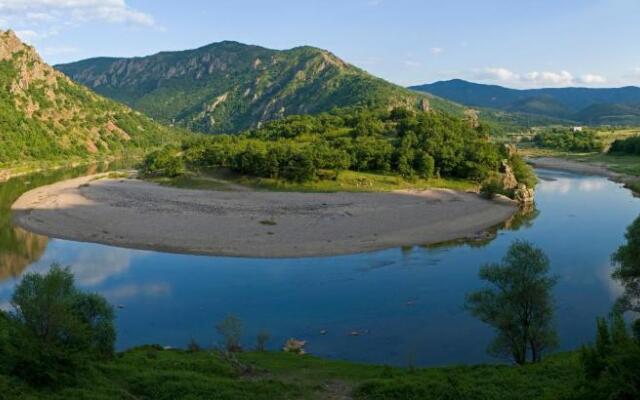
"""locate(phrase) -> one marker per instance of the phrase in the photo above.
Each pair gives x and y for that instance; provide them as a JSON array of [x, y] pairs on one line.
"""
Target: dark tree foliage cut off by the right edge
[[627, 272]]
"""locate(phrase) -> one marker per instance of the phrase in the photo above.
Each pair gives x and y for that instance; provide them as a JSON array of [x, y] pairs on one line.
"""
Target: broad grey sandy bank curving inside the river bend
[[136, 214]]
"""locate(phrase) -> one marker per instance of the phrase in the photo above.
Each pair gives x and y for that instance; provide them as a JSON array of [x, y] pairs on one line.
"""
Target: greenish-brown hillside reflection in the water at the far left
[[18, 247]]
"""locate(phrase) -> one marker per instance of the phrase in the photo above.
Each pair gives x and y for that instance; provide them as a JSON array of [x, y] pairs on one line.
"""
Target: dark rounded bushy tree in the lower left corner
[[55, 329]]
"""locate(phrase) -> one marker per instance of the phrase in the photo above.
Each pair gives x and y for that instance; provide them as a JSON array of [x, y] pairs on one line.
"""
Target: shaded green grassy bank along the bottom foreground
[[152, 373]]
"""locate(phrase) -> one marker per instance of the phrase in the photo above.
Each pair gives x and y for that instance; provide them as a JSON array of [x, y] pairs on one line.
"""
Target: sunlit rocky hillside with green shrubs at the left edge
[[45, 115]]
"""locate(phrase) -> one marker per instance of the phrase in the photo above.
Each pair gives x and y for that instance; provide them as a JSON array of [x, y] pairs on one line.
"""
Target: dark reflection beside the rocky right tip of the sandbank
[[522, 219]]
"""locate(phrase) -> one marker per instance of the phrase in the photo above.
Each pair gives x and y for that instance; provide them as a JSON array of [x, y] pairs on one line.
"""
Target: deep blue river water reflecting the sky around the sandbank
[[404, 304]]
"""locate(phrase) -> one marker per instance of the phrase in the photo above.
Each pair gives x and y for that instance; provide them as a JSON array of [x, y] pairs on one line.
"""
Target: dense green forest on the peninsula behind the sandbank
[[303, 148]]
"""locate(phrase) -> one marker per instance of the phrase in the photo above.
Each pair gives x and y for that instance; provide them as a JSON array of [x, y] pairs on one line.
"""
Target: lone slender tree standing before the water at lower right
[[519, 304]]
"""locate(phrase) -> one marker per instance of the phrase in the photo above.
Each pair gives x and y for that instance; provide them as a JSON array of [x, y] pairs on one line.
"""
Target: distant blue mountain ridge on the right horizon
[[583, 105]]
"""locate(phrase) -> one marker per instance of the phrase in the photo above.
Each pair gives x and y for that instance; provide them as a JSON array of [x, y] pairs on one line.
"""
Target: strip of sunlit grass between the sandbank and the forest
[[346, 181]]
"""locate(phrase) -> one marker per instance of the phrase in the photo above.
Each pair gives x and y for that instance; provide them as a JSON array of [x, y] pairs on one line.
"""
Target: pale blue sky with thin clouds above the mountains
[[521, 44]]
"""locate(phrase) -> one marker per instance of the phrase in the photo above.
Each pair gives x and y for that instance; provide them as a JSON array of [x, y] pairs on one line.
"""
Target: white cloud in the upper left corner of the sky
[[38, 19]]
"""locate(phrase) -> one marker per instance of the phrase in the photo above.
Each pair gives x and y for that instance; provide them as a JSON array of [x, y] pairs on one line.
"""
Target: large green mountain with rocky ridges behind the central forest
[[229, 86]]
